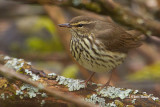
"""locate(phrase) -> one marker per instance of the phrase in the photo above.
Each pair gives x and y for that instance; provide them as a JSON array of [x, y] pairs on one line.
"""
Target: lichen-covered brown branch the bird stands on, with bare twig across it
[[61, 90]]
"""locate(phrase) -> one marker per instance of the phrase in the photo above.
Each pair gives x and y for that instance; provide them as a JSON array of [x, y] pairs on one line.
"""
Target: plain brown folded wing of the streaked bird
[[116, 39]]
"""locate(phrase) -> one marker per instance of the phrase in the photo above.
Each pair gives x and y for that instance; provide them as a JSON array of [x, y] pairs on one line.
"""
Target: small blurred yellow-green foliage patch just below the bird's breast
[[70, 71]]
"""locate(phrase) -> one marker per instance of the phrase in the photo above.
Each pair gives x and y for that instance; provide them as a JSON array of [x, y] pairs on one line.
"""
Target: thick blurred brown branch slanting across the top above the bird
[[111, 8]]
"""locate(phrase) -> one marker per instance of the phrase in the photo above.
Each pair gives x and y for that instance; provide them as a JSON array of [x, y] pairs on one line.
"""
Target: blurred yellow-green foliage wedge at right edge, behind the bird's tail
[[151, 72]]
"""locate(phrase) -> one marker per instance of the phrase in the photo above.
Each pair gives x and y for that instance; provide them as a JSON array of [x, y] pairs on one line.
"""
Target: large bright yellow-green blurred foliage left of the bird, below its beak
[[40, 43]]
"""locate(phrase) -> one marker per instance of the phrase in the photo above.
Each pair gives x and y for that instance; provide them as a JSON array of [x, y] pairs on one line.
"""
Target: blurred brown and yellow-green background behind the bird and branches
[[29, 30]]
